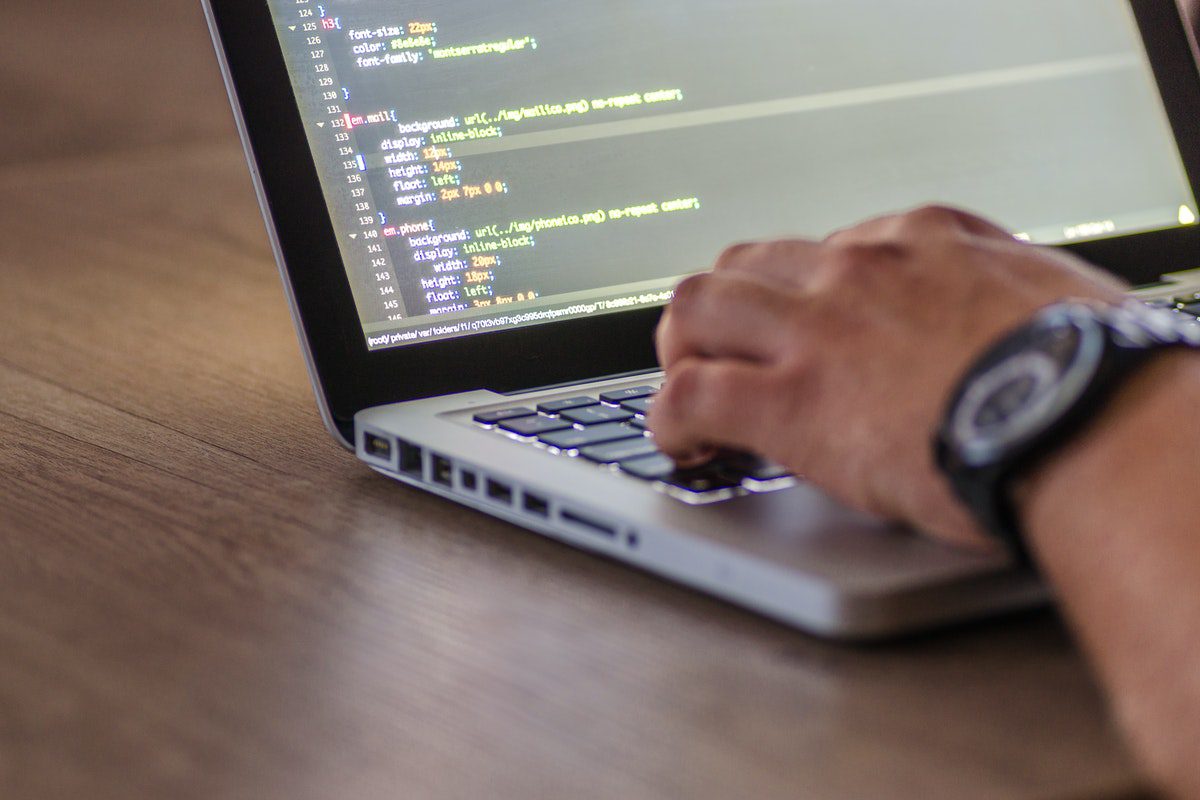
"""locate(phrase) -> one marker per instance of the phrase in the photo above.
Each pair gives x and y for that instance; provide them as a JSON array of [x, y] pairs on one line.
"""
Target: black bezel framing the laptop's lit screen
[[353, 378]]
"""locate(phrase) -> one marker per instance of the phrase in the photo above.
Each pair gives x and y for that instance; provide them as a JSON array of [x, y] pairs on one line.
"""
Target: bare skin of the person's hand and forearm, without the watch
[[838, 359]]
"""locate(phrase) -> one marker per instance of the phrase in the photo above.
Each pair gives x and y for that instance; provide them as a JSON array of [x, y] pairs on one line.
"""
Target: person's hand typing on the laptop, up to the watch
[[838, 358]]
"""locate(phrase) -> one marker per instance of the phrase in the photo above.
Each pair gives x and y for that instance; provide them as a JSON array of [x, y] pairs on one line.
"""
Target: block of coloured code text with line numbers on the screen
[[436, 227]]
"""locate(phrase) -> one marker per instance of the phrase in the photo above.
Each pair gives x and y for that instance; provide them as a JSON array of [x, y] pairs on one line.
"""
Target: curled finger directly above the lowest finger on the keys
[[727, 315]]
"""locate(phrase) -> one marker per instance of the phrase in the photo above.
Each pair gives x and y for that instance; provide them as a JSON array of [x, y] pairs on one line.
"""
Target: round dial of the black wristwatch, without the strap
[[1025, 386]]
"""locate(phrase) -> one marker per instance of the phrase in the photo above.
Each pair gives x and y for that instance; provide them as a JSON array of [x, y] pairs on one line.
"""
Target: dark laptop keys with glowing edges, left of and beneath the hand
[[609, 430]]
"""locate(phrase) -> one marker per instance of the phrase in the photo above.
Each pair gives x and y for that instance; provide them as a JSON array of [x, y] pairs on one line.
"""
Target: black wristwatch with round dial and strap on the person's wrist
[[1036, 390]]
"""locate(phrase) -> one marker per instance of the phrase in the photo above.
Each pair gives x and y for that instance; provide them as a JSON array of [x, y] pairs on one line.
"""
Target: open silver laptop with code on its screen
[[479, 210]]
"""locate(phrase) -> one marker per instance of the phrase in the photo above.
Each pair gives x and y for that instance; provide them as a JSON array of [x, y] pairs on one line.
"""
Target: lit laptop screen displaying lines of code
[[490, 166]]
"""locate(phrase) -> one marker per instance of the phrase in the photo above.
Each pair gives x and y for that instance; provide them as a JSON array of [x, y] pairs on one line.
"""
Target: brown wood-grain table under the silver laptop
[[202, 597]]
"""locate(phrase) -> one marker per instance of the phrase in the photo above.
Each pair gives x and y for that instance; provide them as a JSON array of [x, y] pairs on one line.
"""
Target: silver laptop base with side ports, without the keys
[[795, 555]]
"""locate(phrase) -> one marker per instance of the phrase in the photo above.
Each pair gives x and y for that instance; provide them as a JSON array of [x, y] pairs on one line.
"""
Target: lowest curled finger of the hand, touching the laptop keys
[[710, 404]]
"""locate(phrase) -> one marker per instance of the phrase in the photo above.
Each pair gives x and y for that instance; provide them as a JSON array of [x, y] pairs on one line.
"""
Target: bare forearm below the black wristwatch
[[1115, 522]]
